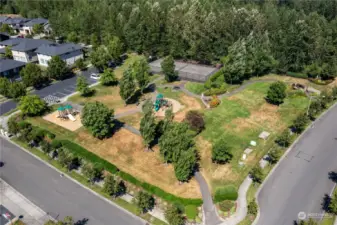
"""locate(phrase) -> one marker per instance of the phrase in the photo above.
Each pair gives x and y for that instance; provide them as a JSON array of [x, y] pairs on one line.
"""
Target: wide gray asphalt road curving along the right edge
[[301, 181]]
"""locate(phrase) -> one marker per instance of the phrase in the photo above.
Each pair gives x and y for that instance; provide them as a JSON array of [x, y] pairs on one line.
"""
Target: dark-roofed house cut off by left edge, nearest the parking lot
[[10, 68]]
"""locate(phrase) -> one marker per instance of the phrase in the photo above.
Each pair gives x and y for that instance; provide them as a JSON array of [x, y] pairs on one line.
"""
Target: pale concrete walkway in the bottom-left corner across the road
[[21, 206]]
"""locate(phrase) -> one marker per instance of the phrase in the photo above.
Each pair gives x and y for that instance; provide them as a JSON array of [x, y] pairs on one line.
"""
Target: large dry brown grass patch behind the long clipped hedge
[[126, 151]]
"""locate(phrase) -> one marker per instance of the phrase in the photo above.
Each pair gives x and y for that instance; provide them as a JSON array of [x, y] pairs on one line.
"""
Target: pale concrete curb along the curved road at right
[[284, 156]]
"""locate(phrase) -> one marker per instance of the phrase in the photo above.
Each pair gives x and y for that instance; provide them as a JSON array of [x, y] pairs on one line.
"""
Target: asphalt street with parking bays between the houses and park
[[59, 89]]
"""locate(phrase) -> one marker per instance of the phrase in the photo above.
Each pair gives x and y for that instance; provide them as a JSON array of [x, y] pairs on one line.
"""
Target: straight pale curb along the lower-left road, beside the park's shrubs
[[80, 184]]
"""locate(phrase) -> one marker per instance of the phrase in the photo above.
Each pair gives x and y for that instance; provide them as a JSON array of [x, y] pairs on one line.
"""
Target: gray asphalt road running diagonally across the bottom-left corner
[[57, 195]]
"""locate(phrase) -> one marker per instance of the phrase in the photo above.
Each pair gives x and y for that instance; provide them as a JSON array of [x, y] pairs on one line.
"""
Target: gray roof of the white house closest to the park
[[57, 49]]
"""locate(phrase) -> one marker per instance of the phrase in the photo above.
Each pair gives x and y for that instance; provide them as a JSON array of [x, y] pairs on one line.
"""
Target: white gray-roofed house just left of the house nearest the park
[[25, 50]]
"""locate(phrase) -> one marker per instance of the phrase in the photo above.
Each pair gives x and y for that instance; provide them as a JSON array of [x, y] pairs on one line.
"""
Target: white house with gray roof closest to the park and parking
[[68, 52]]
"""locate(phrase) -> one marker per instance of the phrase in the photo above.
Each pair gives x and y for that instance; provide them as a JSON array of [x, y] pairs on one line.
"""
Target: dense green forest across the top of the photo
[[254, 35]]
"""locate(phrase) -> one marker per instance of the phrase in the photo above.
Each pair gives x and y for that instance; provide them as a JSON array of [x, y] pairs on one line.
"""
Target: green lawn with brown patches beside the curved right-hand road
[[240, 119]]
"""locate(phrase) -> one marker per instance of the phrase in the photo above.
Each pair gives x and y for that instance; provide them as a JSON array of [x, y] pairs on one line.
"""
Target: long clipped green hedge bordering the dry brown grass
[[91, 157]]
